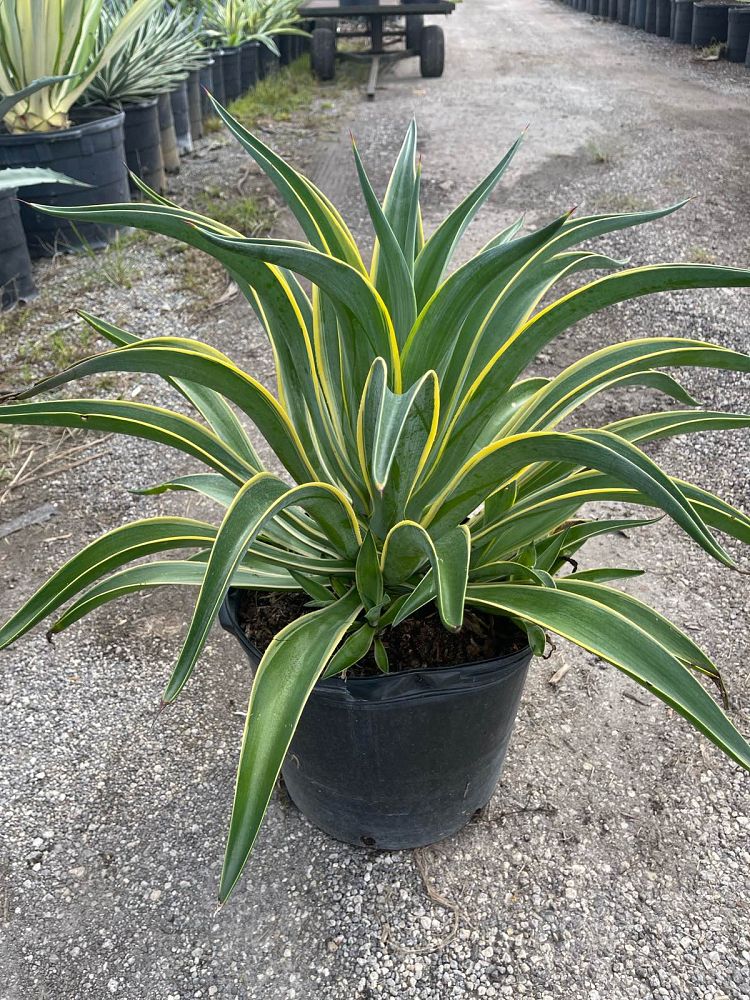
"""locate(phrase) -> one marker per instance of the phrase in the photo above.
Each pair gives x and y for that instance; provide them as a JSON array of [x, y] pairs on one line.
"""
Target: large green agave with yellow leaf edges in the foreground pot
[[422, 463]]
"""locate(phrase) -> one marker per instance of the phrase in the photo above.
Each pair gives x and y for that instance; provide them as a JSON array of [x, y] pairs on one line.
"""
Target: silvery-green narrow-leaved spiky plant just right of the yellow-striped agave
[[155, 58]]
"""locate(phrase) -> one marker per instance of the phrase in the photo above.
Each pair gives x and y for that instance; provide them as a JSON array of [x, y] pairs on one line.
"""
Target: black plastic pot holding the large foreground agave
[[403, 759]]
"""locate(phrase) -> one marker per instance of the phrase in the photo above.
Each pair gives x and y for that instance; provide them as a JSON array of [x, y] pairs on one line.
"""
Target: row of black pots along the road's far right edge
[[700, 23]]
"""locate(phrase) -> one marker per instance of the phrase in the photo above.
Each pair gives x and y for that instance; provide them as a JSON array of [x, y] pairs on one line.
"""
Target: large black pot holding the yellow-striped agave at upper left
[[92, 150]]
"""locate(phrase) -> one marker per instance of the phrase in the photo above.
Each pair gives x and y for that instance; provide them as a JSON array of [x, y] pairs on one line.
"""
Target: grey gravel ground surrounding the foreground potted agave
[[612, 862]]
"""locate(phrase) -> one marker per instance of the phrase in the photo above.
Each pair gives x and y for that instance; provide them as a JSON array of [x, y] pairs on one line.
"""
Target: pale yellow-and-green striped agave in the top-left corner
[[56, 38]]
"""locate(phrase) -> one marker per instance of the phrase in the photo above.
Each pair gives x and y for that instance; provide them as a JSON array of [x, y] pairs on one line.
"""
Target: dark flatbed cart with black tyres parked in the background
[[385, 25]]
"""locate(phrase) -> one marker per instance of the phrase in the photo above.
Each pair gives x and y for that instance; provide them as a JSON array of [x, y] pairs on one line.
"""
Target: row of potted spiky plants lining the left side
[[122, 92]]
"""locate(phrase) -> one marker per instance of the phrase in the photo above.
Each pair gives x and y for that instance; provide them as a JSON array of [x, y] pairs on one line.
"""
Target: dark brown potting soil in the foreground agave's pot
[[421, 641]]
